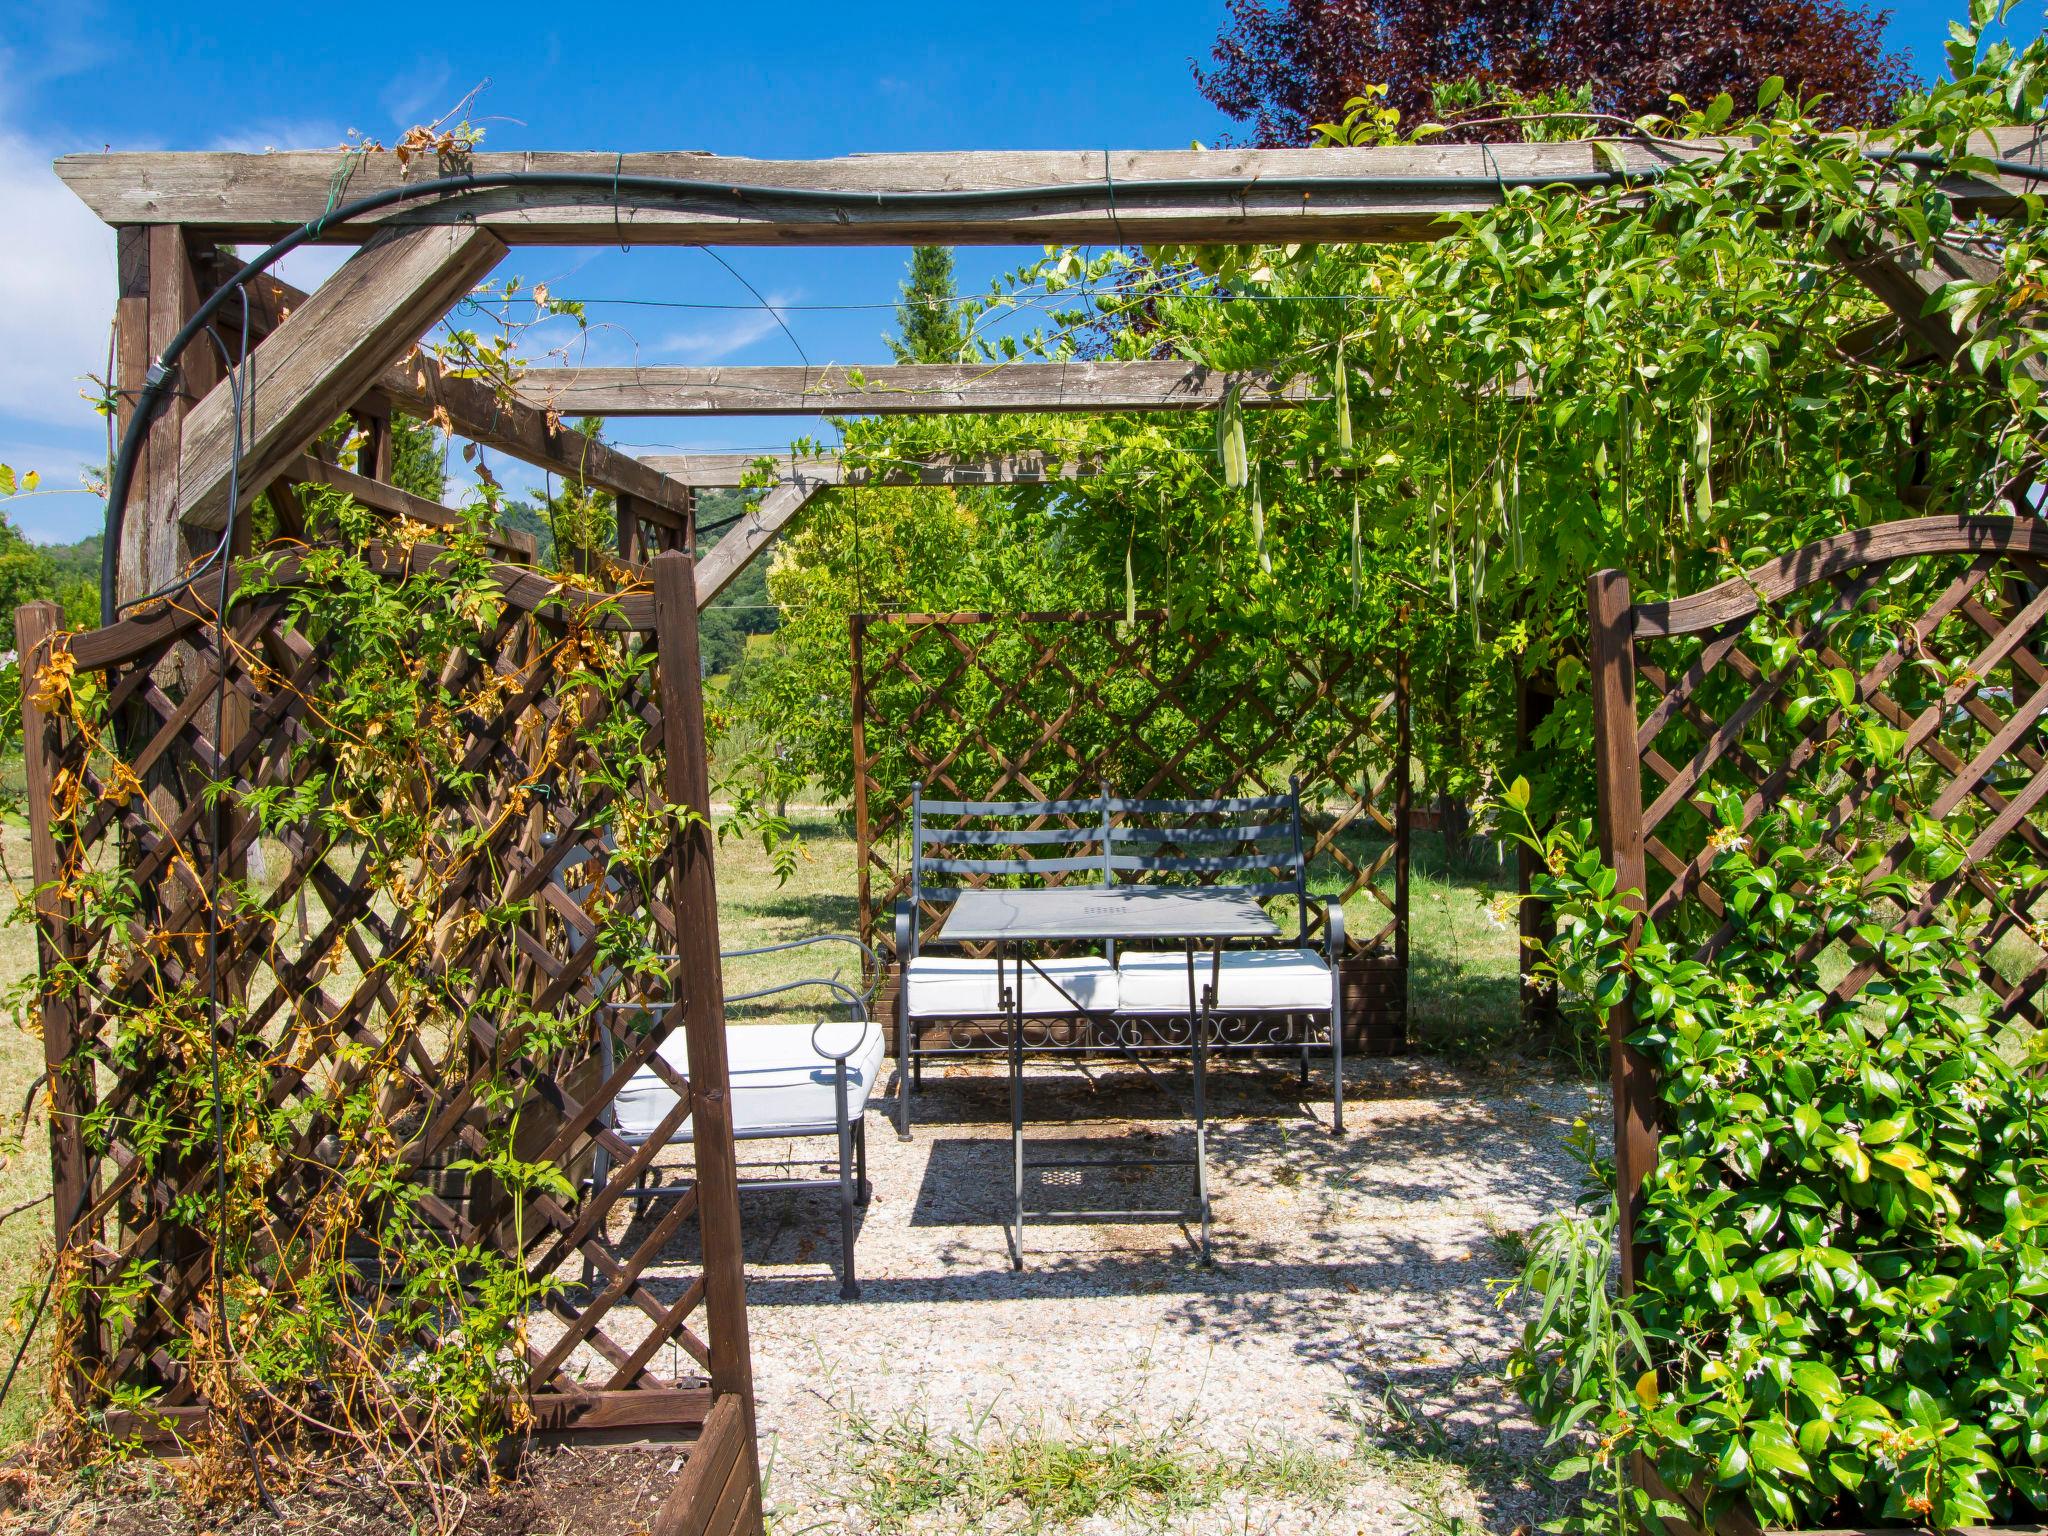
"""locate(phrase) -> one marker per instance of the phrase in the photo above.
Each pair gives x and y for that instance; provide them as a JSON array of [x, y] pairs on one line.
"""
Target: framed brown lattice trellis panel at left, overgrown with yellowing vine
[[314, 966]]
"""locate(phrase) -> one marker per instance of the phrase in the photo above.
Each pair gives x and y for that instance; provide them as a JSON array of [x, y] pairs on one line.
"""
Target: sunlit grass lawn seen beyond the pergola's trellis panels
[[1461, 1000]]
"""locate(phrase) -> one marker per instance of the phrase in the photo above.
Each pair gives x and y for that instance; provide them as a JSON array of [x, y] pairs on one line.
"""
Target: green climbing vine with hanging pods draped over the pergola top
[[1674, 376]]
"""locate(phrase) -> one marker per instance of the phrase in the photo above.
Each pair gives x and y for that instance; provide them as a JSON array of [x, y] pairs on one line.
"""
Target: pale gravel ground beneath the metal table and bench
[[1345, 1328]]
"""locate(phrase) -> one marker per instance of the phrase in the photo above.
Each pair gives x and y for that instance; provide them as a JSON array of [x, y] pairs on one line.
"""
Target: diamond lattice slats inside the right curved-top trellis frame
[[1938, 650]]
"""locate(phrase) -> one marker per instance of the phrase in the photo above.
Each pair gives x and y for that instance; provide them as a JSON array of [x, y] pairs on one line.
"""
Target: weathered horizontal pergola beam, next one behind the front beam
[[902, 390]]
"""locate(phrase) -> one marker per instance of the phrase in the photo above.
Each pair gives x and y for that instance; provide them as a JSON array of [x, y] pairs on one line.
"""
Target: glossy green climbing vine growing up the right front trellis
[[1838, 1316]]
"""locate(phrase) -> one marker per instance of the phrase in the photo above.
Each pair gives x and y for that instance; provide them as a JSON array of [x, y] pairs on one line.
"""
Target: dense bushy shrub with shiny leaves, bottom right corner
[[1840, 1314]]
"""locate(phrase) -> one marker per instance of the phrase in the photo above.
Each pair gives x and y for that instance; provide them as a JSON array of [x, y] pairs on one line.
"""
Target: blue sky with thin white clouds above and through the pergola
[[800, 79]]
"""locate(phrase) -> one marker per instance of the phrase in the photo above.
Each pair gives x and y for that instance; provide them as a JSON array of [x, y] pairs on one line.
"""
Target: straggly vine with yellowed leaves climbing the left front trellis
[[278, 1099]]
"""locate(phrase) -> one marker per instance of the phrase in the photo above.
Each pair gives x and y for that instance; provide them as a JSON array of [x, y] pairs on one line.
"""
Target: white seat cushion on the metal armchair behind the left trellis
[[779, 1080]]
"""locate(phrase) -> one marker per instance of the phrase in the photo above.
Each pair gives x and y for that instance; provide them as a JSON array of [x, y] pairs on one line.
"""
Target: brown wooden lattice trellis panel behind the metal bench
[[1052, 706]]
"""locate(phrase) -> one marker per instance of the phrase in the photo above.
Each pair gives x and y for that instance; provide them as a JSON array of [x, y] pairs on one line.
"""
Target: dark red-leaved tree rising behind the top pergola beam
[[1283, 67]]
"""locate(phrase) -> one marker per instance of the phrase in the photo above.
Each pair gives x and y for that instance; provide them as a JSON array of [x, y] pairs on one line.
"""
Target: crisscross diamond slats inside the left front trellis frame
[[318, 957]]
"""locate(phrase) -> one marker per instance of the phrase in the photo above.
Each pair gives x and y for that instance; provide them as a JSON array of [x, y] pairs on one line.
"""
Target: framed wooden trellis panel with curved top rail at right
[[1932, 628]]
